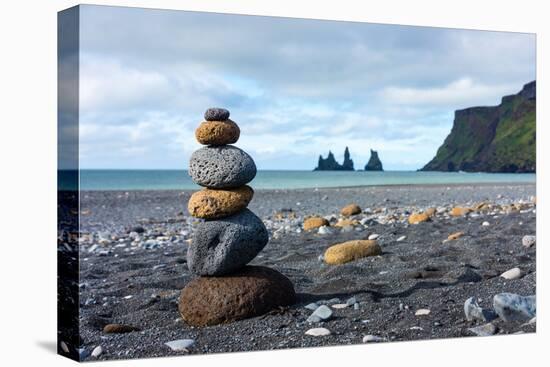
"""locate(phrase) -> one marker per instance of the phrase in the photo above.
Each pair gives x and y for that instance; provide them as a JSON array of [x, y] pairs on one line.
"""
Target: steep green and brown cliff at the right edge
[[492, 139]]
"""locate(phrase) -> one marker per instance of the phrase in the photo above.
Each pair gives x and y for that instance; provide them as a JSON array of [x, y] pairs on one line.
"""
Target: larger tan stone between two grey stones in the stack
[[212, 204]]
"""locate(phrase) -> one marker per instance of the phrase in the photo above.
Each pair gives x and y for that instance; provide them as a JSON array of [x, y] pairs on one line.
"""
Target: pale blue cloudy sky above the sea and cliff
[[296, 87]]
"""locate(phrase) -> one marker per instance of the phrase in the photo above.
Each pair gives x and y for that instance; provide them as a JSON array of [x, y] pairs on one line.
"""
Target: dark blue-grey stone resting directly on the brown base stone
[[224, 245]]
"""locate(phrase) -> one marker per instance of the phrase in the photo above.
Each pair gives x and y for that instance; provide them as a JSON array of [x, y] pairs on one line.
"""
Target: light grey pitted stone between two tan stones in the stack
[[221, 167]]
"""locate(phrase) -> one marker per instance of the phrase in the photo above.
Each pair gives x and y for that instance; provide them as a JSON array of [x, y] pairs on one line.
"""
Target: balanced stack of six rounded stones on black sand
[[228, 236]]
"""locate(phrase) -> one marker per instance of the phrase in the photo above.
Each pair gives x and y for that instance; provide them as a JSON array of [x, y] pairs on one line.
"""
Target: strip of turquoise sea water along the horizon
[[179, 179]]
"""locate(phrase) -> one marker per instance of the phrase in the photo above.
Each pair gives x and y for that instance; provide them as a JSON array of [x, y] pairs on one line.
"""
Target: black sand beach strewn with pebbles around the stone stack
[[135, 278]]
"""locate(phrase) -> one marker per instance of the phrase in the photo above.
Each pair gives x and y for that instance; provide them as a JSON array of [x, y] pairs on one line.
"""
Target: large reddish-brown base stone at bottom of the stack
[[250, 292]]
